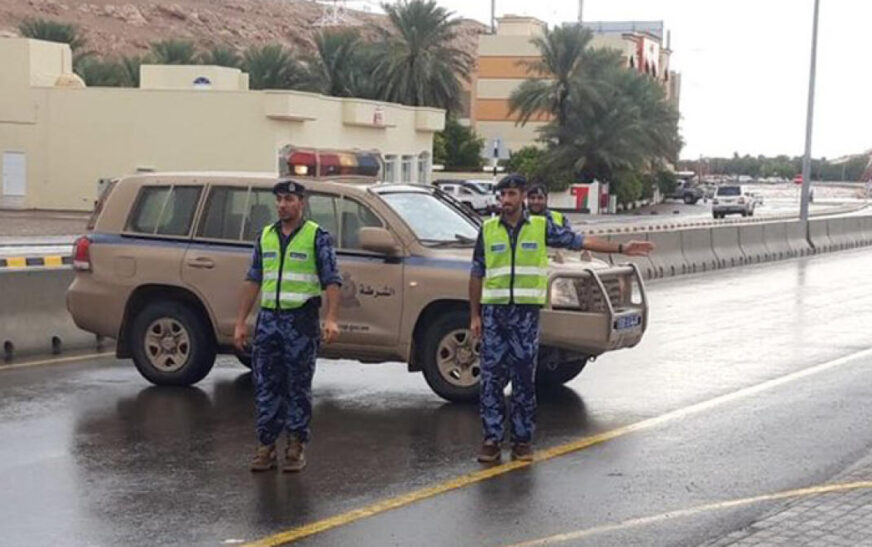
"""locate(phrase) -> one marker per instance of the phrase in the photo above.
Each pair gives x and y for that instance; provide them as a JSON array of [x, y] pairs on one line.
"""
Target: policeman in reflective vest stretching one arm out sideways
[[507, 287]]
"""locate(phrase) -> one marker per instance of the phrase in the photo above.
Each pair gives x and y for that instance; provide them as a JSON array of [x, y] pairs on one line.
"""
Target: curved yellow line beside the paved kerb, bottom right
[[643, 521]]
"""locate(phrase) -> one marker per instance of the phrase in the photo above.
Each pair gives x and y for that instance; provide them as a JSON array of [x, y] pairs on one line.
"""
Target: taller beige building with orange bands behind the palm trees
[[501, 69]]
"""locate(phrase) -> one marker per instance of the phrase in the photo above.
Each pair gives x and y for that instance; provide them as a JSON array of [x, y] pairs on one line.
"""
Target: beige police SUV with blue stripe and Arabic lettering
[[161, 270]]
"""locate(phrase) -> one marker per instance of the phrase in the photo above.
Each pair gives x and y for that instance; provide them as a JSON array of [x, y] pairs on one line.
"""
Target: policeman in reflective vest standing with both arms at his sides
[[292, 262]]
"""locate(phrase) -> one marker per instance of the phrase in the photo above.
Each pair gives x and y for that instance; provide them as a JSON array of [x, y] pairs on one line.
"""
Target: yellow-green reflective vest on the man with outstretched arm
[[517, 276]]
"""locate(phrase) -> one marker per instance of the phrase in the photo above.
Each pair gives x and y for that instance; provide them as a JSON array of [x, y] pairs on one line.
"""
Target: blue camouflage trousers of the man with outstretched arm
[[509, 348]]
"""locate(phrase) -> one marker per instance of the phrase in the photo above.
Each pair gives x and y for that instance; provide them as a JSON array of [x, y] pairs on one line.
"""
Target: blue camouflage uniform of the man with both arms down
[[285, 347]]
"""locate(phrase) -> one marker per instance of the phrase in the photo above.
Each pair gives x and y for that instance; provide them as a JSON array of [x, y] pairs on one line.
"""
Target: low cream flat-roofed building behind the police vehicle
[[60, 139]]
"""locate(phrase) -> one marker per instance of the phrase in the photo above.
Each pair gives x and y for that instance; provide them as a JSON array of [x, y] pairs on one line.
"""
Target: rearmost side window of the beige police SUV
[[164, 210]]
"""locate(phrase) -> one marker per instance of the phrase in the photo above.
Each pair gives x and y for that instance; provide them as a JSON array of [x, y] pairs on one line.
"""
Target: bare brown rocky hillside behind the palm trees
[[113, 28]]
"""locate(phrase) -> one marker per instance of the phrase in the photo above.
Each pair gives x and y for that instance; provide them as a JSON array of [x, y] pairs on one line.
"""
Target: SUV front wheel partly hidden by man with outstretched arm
[[450, 358]]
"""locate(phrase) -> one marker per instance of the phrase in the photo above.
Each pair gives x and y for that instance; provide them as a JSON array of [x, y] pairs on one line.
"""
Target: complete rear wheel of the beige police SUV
[[170, 344]]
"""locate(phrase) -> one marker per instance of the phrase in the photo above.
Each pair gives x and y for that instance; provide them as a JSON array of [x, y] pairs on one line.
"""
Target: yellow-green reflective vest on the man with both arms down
[[298, 268]]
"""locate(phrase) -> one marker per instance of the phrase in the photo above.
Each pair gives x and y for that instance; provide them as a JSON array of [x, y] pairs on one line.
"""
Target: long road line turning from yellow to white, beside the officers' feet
[[541, 456]]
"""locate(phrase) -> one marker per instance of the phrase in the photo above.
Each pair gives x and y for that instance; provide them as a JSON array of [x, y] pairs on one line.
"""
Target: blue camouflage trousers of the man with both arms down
[[283, 363]]
